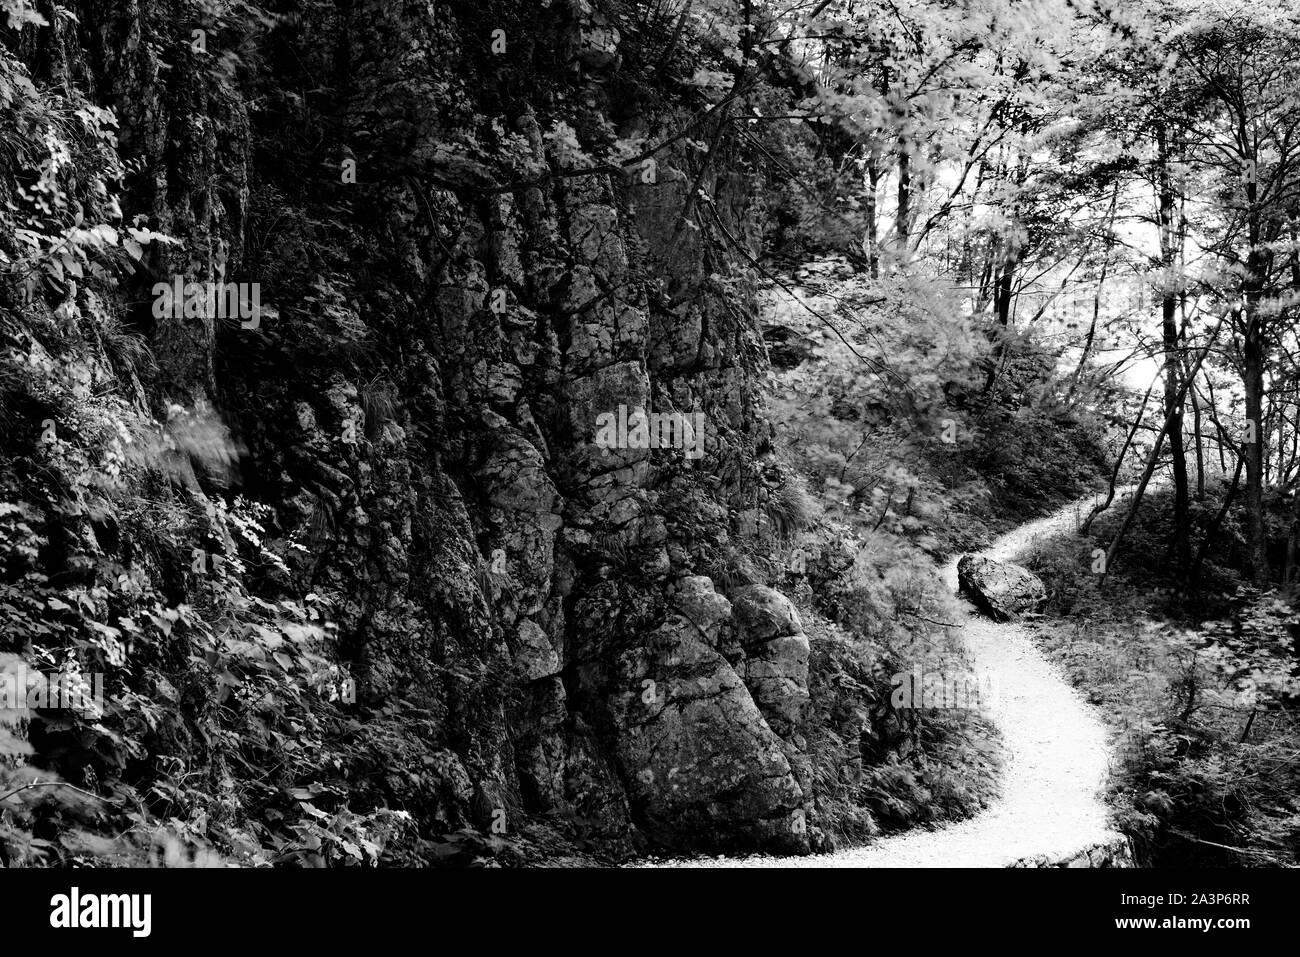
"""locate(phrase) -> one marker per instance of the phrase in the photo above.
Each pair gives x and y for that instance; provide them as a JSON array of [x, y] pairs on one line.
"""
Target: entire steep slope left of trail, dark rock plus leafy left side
[[457, 283]]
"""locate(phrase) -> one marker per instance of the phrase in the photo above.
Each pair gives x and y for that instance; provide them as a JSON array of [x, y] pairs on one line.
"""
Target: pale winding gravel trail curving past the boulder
[[1056, 754]]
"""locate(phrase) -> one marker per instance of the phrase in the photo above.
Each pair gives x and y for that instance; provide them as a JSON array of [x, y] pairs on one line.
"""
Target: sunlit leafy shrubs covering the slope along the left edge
[[224, 731]]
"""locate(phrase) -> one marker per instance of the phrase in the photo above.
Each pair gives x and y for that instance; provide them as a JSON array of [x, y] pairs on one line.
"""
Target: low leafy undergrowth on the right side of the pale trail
[[1199, 691]]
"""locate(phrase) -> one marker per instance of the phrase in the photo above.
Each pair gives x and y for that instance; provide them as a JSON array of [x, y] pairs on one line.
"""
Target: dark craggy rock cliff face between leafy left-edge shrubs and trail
[[460, 288]]
